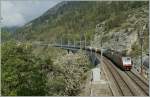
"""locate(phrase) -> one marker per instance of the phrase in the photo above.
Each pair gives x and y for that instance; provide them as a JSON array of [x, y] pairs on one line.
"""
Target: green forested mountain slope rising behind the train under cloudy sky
[[71, 19]]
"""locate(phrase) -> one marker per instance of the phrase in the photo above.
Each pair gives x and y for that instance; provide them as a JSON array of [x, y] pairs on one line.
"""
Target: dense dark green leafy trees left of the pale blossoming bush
[[22, 72]]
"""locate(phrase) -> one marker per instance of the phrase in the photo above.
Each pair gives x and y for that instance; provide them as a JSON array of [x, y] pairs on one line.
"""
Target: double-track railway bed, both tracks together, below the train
[[128, 83]]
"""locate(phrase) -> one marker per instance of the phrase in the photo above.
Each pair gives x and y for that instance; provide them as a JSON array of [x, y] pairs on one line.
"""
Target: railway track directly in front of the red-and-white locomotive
[[139, 82]]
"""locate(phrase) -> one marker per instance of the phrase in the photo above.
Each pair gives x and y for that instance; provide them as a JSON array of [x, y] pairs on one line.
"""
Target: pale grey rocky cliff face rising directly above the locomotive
[[125, 36]]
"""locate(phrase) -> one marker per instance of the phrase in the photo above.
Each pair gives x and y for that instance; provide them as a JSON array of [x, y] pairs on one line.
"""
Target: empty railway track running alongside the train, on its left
[[123, 87]]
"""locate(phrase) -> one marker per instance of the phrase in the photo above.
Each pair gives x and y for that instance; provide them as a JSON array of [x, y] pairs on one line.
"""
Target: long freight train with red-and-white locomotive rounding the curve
[[119, 59]]
